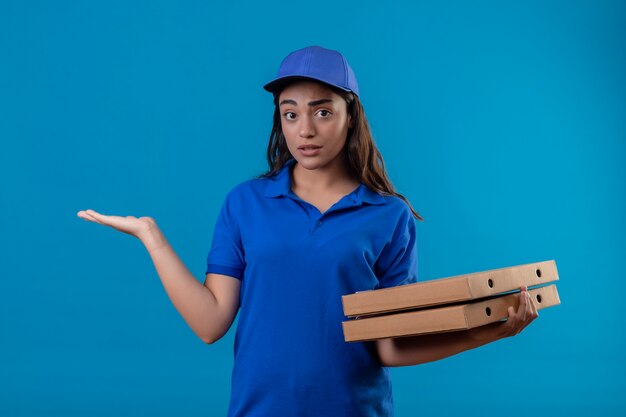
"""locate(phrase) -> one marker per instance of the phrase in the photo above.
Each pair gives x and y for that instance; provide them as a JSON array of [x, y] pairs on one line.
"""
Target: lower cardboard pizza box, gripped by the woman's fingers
[[444, 319]]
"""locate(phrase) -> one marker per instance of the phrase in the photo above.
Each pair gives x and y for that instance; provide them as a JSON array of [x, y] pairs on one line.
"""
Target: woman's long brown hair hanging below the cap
[[361, 155]]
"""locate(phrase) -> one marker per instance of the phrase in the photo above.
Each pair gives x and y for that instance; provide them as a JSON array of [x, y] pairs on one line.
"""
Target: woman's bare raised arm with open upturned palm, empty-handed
[[208, 309]]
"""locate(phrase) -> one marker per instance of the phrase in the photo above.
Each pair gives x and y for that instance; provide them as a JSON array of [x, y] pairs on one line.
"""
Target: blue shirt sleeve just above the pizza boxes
[[397, 264]]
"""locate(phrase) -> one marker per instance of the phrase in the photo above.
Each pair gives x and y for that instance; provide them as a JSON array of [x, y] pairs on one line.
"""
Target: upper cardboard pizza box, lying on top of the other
[[459, 288]]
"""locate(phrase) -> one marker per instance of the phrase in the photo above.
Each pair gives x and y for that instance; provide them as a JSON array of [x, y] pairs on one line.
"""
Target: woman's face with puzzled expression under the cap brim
[[315, 124]]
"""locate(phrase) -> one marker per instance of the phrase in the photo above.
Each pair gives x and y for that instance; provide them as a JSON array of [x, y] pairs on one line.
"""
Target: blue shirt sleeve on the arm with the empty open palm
[[226, 255]]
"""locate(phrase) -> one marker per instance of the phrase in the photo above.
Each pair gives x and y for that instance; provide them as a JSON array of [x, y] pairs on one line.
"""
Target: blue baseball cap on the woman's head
[[317, 63]]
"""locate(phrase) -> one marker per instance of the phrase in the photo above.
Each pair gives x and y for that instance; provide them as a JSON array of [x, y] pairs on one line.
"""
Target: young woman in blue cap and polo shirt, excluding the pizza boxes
[[323, 222]]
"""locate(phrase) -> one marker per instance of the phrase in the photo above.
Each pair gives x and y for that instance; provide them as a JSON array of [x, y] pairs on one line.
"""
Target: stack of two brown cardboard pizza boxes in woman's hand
[[448, 304]]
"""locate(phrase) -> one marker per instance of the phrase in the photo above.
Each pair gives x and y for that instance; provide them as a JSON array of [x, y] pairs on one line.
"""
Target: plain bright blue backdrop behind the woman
[[503, 122]]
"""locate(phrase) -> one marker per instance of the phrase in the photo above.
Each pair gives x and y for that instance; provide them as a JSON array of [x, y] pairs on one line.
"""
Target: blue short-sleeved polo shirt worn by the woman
[[294, 264]]
